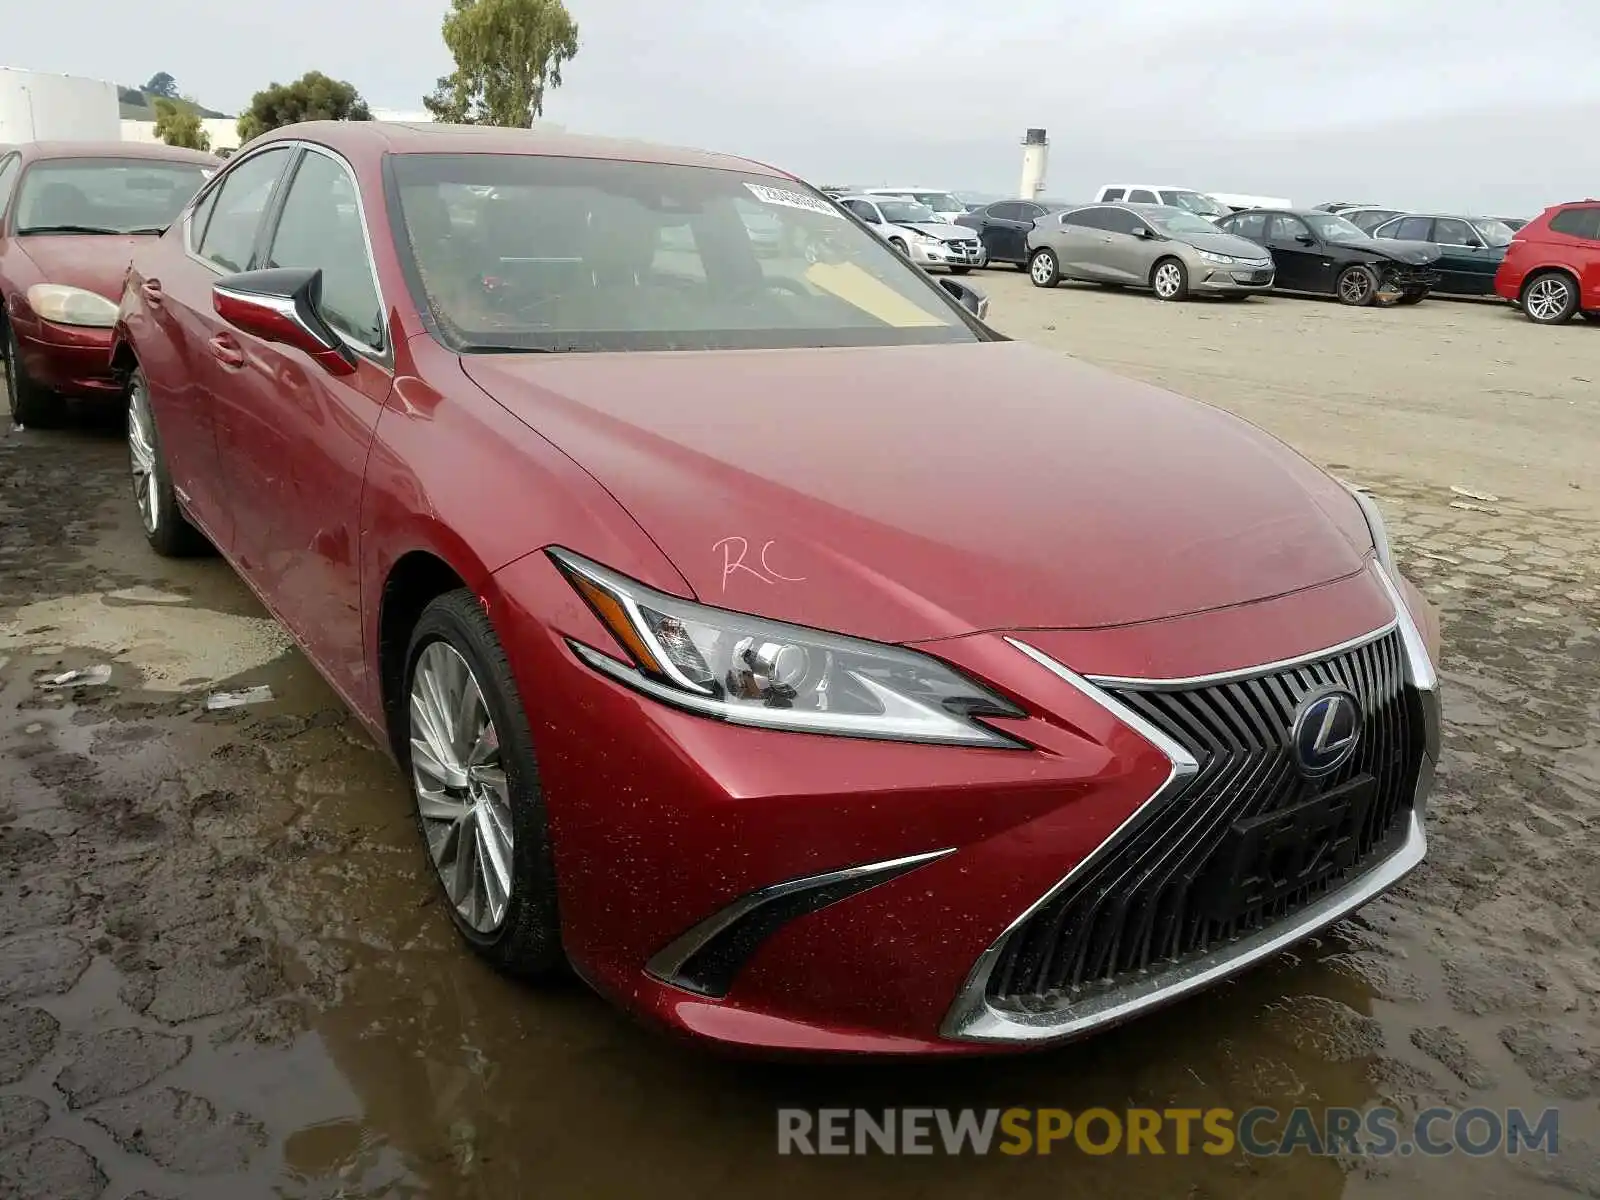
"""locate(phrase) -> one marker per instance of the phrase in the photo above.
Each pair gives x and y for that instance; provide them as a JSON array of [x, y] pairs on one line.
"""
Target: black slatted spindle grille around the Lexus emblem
[[1174, 889]]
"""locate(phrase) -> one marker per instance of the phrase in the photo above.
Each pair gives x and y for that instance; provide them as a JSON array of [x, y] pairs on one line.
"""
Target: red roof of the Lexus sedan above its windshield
[[362, 138]]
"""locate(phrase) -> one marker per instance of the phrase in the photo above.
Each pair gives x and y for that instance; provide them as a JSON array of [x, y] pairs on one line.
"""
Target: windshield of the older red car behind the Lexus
[[105, 196]]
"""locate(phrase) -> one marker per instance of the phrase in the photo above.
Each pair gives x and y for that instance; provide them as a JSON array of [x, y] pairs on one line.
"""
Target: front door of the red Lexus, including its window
[[295, 438]]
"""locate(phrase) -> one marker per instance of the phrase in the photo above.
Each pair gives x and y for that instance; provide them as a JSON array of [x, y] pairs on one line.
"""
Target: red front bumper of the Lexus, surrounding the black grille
[[871, 887]]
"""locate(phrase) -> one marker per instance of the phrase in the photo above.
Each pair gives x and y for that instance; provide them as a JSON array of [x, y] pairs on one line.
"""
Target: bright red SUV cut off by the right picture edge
[[1553, 265]]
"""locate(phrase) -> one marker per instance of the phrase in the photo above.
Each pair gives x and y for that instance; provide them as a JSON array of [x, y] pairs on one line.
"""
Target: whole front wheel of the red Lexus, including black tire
[[455, 647]]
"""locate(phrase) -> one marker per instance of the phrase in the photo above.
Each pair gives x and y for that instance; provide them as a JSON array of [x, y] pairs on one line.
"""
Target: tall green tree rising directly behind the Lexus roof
[[508, 54]]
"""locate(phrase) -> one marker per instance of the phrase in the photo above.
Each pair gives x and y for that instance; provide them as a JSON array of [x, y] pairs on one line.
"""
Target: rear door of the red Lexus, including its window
[[177, 332]]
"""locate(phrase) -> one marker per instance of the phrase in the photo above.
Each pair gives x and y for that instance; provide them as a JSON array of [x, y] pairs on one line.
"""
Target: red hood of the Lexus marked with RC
[[908, 494]]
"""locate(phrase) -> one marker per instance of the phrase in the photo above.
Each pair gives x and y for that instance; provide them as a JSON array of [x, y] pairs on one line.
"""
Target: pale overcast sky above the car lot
[[1460, 105]]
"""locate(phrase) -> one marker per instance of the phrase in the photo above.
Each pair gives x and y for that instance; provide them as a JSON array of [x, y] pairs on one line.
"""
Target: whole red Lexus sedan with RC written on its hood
[[807, 665]]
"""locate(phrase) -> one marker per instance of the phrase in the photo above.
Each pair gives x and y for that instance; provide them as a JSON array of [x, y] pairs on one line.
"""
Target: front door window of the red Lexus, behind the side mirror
[[321, 226]]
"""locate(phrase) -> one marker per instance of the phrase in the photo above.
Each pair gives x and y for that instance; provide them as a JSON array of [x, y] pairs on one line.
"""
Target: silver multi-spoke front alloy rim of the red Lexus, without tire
[[462, 790]]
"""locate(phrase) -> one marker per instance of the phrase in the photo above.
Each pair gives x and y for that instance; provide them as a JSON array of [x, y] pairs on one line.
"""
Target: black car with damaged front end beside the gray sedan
[[1324, 254]]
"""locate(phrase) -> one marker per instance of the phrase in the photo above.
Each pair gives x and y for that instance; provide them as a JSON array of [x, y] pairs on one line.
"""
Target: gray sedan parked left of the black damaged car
[[1169, 250]]
